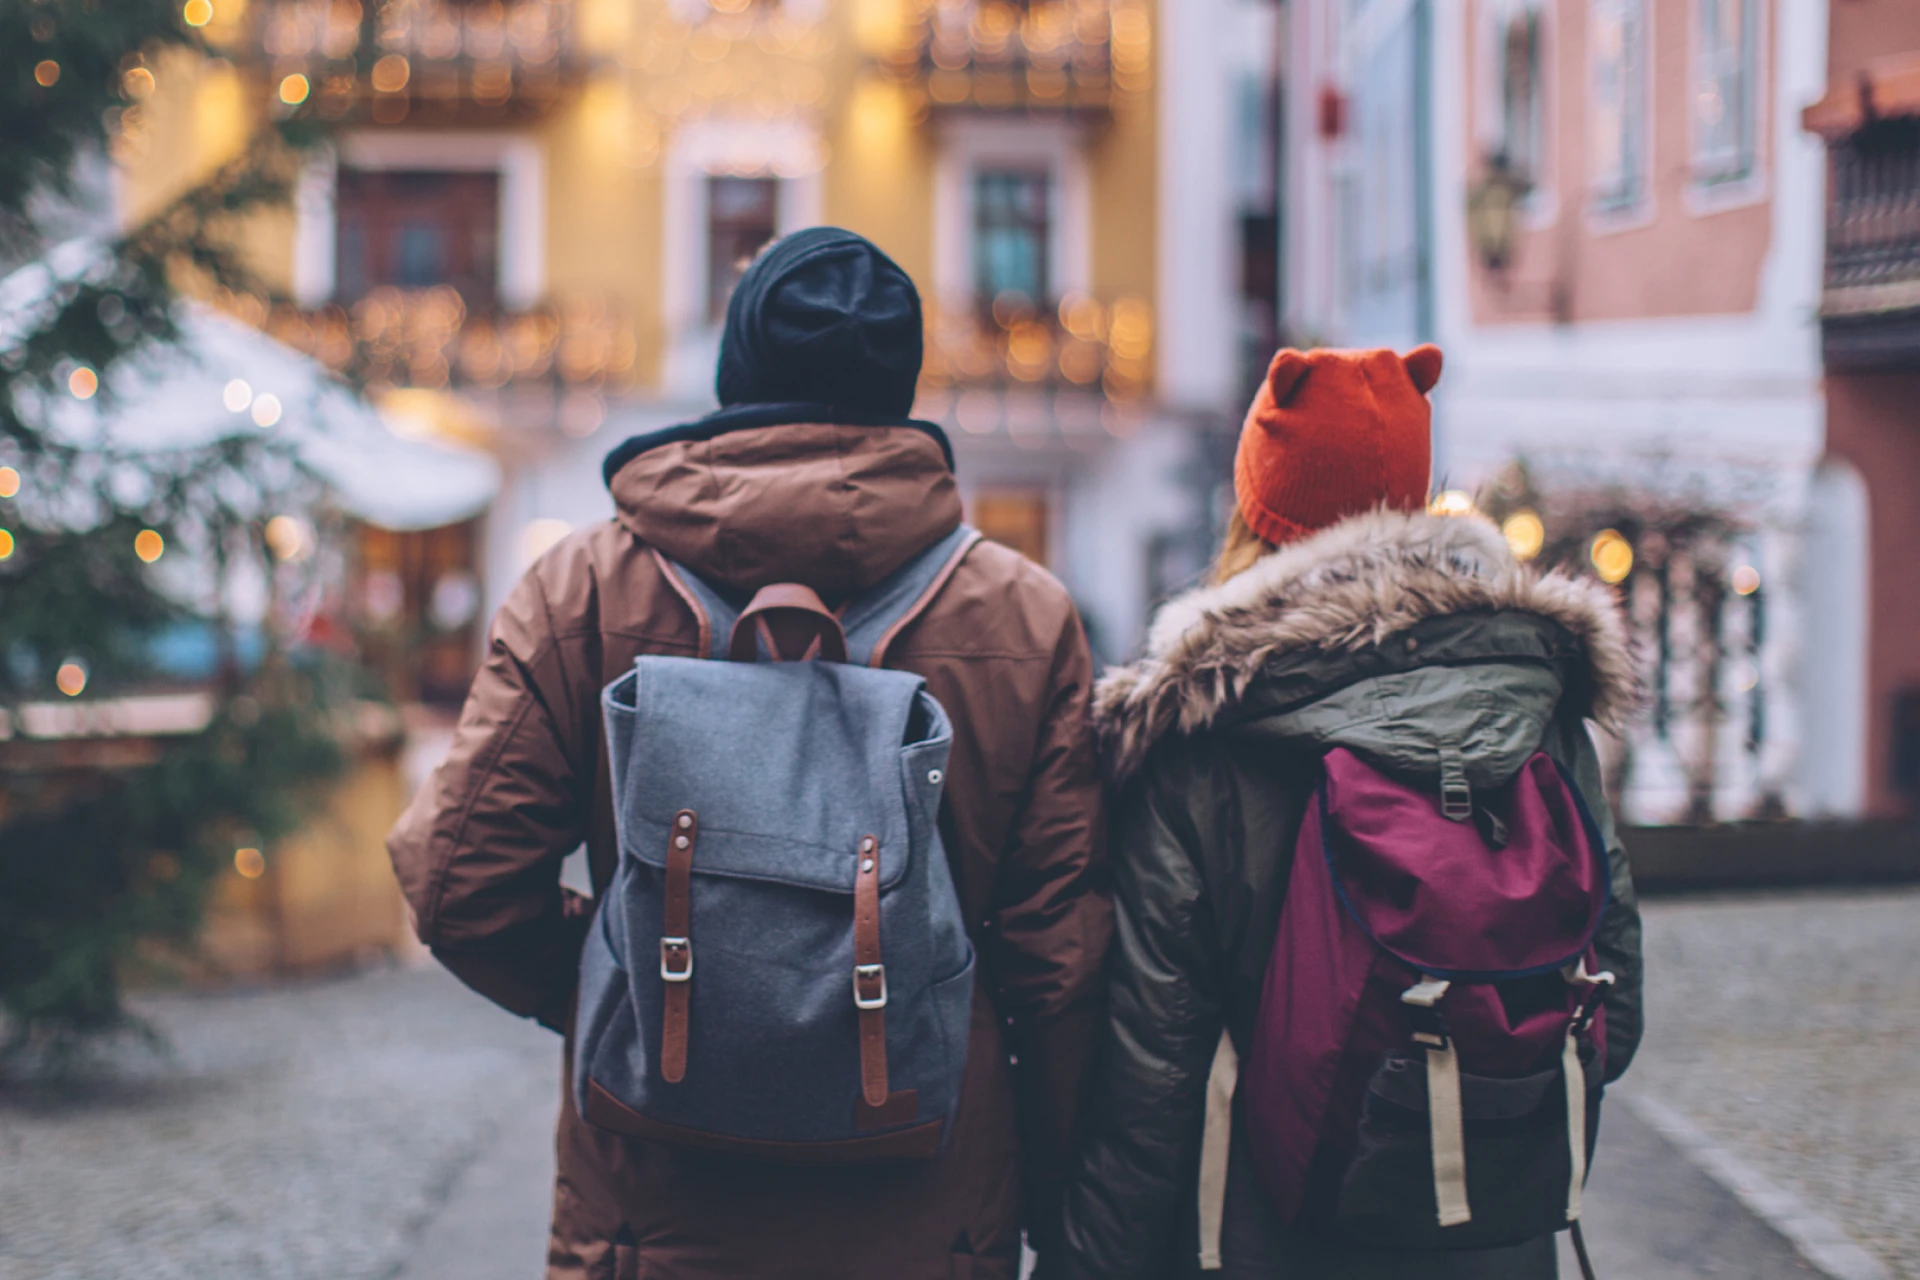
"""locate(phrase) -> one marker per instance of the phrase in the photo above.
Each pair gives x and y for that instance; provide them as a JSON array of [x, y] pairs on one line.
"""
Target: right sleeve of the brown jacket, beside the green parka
[[1051, 928]]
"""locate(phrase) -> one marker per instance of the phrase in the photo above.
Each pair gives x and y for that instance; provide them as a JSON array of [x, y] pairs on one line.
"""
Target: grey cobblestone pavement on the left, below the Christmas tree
[[295, 1135]]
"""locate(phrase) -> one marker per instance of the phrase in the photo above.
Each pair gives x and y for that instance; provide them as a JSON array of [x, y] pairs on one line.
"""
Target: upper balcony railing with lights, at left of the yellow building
[[385, 59]]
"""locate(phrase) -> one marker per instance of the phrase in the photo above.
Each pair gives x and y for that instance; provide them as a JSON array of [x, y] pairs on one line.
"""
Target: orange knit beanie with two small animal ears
[[1333, 435]]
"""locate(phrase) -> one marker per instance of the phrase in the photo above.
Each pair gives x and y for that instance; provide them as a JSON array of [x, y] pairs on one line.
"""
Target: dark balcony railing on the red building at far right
[[1871, 310]]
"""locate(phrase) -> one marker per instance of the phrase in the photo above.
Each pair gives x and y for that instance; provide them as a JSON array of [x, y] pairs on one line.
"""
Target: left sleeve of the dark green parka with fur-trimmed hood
[[1138, 1168]]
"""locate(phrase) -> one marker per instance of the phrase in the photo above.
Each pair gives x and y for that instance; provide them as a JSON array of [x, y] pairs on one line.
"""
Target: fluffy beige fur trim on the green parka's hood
[[1347, 588]]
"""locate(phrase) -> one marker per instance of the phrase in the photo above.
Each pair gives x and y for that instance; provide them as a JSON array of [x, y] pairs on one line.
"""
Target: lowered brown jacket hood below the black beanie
[[830, 506]]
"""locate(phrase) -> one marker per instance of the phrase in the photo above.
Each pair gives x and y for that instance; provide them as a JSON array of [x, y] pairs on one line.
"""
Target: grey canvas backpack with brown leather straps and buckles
[[780, 966]]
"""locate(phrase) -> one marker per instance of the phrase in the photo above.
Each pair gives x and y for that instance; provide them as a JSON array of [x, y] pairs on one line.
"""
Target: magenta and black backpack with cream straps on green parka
[[1429, 1051]]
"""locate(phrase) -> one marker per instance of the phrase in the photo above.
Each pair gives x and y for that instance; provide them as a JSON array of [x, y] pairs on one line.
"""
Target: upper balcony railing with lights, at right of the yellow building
[[1045, 57]]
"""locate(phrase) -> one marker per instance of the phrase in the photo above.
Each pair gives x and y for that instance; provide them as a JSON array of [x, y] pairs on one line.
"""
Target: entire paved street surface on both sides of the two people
[[395, 1127]]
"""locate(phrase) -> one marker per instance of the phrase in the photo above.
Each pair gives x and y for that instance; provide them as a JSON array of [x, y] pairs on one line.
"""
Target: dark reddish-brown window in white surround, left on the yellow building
[[418, 229]]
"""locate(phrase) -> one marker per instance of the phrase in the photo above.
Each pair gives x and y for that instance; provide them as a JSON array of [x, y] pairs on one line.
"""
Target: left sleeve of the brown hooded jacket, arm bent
[[479, 851]]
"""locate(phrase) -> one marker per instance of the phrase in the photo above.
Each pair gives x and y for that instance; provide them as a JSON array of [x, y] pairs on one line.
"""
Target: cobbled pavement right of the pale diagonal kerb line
[[1785, 1028]]
